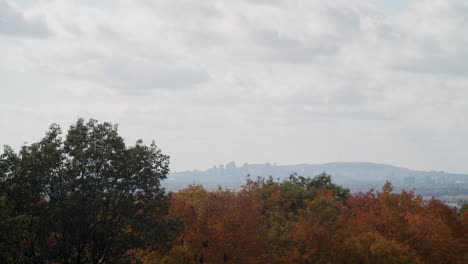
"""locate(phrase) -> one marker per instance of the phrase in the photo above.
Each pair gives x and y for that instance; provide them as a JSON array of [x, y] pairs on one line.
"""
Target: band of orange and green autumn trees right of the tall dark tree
[[311, 220]]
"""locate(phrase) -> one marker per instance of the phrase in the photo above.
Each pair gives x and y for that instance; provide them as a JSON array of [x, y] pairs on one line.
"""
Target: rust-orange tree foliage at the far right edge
[[428, 230]]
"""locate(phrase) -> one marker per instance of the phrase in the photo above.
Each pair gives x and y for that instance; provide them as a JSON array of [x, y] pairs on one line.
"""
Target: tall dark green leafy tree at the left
[[92, 198]]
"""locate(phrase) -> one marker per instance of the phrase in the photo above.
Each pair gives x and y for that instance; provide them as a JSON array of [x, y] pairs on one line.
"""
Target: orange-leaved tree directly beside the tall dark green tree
[[221, 227]]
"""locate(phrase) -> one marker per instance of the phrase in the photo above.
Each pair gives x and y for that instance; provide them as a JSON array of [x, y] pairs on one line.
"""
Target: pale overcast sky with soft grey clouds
[[213, 81]]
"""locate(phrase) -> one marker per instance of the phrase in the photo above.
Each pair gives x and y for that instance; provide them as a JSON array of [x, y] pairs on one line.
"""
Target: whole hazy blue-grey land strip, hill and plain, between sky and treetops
[[358, 176]]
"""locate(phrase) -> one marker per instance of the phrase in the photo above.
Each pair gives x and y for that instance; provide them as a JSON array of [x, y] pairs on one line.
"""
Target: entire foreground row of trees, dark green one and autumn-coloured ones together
[[87, 197]]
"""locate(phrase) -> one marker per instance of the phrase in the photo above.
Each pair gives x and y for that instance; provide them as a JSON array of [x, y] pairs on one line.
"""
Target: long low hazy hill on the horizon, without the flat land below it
[[348, 173]]
